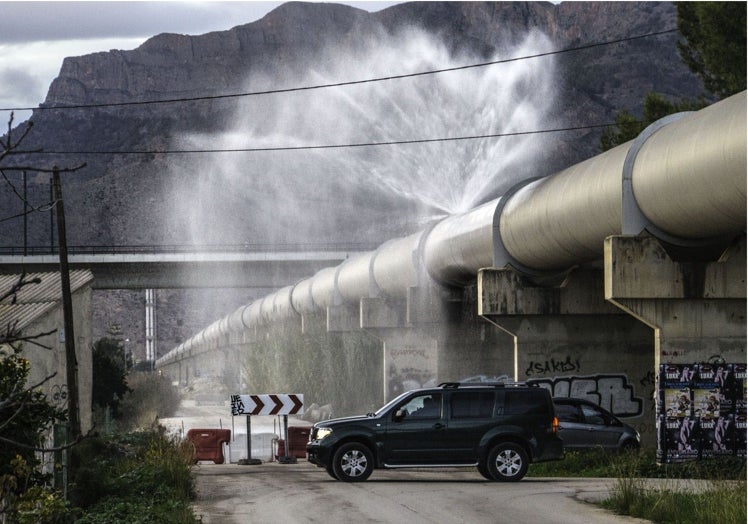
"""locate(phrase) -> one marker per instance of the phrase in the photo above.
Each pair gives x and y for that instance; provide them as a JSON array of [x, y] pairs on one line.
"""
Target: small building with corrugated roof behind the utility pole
[[35, 310]]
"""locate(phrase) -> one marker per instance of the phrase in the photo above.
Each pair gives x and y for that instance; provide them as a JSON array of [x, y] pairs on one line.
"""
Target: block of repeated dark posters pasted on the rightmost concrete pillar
[[701, 411]]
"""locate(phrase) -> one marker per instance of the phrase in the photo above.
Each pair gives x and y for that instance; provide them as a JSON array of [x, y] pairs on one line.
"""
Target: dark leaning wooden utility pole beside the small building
[[71, 362]]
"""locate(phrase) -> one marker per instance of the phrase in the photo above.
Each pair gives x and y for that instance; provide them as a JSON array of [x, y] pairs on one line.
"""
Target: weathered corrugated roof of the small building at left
[[32, 301]]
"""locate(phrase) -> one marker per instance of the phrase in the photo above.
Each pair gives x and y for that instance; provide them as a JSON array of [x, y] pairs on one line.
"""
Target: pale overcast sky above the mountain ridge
[[36, 36]]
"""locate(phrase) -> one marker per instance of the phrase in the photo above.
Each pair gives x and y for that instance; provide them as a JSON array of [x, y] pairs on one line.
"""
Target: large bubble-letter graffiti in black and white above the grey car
[[610, 391]]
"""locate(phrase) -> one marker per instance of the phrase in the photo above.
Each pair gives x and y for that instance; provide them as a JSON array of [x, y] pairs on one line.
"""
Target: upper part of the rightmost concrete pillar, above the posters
[[697, 309]]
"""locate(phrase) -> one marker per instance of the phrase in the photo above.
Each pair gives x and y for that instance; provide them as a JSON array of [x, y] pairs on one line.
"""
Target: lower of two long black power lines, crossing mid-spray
[[325, 146]]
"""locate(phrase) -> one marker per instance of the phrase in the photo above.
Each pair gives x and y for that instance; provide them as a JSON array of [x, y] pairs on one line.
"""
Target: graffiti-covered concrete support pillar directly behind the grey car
[[569, 340]]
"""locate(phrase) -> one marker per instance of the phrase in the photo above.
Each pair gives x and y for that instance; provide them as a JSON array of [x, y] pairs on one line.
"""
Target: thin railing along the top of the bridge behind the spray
[[187, 248]]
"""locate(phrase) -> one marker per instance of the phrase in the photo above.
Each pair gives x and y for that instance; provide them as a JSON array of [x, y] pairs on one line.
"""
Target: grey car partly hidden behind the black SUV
[[585, 425]]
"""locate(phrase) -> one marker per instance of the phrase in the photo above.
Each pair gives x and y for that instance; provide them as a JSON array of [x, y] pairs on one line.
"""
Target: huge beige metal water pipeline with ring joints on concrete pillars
[[582, 205]]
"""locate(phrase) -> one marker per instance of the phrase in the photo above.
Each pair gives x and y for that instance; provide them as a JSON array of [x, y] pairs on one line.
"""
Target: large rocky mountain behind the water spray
[[144, 184]]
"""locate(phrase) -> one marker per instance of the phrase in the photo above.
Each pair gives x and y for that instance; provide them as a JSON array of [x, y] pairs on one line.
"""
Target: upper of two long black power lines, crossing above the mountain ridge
[[341, 84]]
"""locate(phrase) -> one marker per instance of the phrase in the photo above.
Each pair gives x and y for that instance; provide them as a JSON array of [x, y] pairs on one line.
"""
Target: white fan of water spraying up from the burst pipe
[[381, 191]]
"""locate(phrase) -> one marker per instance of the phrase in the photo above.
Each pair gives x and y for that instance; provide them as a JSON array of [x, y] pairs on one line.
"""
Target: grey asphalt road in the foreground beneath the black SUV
[[296, 493]]
